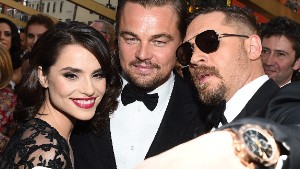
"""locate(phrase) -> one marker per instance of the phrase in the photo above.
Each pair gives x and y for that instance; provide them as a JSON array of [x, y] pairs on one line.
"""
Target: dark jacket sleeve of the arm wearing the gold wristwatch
[[281, 116]]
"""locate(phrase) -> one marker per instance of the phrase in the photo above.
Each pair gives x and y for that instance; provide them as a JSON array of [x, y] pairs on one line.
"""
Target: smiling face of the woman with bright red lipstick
[[75, 84]]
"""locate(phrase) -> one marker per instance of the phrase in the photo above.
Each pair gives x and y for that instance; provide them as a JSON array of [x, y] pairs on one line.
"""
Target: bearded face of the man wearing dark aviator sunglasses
[[217, 75]]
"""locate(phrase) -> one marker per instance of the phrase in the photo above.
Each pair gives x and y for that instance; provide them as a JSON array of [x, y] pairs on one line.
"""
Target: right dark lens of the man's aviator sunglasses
[[207, 41]]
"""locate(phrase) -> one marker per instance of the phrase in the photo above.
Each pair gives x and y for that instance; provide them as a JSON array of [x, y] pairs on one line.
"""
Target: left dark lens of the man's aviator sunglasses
[[184, 53]]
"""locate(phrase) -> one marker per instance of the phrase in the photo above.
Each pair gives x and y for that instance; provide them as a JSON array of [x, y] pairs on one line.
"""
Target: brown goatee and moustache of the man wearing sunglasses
[[212, 96]]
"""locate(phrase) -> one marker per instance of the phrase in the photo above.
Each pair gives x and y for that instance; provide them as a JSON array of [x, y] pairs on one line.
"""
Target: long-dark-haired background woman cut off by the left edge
[[10, 38]]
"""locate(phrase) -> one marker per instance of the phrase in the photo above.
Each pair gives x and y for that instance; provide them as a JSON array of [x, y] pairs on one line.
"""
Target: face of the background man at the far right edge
[[278, 57]]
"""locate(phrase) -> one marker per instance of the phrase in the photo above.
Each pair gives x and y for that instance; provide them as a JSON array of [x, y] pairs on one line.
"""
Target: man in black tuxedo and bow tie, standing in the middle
[[157, 109]]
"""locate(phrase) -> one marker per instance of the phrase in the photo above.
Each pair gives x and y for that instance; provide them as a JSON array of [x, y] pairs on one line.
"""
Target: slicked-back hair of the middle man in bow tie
[[179, 6]]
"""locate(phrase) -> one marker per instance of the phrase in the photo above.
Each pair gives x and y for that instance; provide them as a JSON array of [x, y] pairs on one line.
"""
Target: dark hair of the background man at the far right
[[283, 26]]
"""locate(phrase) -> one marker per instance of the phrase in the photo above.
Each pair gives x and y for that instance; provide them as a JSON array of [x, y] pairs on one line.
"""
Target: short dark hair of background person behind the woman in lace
[[39, 19]]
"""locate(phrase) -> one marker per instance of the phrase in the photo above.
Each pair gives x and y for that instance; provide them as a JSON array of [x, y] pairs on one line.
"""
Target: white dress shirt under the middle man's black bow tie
[[133, 127]]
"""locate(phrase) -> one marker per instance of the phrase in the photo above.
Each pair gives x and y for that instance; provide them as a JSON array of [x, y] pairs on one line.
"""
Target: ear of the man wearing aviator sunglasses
[[254, 47]]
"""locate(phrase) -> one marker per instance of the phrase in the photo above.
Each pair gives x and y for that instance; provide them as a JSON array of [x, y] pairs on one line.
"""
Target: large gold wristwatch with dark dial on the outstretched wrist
[[254, 146]]
